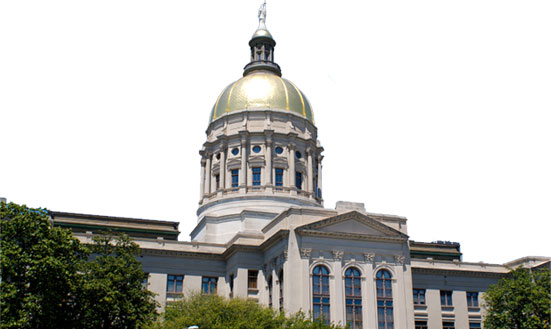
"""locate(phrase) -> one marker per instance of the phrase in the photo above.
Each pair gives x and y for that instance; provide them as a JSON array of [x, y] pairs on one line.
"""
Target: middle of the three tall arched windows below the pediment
[[353, 295]]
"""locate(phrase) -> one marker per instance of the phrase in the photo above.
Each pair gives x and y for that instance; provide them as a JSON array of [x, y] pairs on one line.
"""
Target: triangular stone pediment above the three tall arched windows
[[353, 225]]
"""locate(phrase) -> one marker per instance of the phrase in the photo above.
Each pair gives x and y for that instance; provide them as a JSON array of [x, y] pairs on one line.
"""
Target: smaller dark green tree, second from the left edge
[[113, 294]]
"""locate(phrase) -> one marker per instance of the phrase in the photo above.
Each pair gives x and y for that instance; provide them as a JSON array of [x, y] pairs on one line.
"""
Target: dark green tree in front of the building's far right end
[[520, 301]]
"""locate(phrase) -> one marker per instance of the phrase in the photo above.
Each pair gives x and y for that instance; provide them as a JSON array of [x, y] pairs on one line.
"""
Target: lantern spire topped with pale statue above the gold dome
[[262, 47]]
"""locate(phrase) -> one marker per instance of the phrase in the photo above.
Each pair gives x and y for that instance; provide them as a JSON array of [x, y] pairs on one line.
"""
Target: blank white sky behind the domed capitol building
[[434, 110]]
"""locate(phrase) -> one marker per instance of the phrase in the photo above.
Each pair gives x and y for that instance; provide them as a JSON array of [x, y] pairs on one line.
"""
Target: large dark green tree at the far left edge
[[39, 270]]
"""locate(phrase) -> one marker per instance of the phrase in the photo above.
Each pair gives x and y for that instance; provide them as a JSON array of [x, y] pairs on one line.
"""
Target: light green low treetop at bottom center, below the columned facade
[[216, 312]]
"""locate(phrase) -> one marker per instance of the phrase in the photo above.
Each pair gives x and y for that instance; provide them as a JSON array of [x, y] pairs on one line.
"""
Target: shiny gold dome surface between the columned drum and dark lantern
[[262, 90]]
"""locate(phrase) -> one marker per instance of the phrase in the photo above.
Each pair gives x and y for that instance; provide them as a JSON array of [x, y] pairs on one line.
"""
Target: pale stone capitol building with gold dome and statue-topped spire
[[263, 232]]
